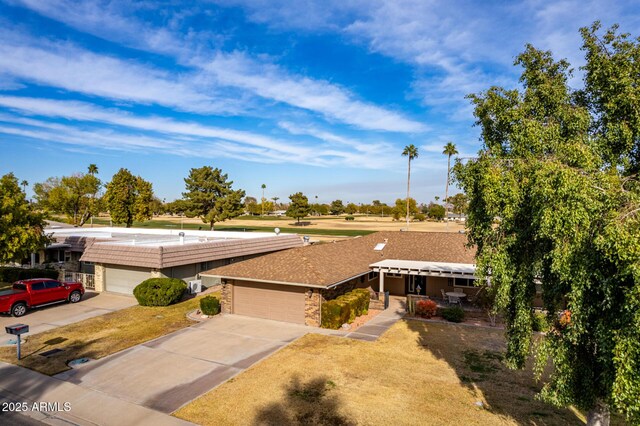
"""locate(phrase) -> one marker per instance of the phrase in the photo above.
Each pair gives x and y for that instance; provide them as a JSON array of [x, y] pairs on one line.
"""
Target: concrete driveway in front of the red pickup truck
[[52, 316]]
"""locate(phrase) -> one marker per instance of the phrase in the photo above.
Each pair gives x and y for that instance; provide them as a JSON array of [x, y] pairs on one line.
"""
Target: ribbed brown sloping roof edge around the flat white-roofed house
[[159, 257]]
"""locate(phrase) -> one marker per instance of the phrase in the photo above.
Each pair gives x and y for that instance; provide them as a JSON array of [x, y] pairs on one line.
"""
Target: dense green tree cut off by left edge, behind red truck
[[21, 227]]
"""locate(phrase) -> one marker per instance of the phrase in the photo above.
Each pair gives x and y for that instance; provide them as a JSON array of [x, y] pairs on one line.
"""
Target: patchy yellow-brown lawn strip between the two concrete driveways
[[100, 336]]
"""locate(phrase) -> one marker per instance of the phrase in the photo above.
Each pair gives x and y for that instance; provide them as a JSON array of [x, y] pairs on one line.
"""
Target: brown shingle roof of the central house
[[327, 264]]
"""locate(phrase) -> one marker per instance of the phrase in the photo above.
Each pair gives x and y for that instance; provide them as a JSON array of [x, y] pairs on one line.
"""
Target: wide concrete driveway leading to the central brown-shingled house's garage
[[168, 372]]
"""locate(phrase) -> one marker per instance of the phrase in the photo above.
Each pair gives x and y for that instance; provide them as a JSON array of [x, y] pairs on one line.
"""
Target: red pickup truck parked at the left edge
[[37, 292]]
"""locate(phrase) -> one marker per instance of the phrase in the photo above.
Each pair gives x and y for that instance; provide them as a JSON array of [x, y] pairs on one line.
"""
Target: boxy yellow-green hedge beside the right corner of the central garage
[[344, 309]]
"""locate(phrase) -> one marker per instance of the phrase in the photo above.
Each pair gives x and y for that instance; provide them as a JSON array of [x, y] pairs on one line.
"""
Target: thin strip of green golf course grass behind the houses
[[305, 230]]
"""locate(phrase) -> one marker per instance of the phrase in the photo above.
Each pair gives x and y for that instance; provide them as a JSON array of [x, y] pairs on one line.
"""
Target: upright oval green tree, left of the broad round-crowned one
[[128, 198]]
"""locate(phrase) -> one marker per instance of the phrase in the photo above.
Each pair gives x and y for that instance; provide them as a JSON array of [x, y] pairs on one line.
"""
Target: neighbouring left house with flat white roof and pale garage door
[[118, 259]]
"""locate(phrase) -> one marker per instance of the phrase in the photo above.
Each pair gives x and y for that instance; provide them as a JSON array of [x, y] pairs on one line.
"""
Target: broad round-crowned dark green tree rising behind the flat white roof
[[210, 196]]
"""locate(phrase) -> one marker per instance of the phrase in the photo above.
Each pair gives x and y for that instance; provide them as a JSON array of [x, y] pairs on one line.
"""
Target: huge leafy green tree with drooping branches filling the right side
[[555, 200]]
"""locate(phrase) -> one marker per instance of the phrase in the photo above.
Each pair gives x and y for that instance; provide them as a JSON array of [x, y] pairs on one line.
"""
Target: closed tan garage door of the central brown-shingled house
[[270, 301]]
